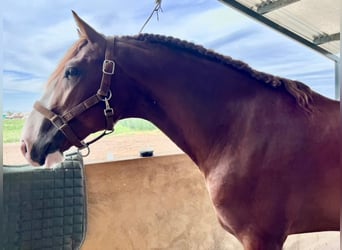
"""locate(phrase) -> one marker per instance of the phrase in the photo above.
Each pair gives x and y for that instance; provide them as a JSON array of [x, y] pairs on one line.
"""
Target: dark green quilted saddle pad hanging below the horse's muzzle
[[44, 208]]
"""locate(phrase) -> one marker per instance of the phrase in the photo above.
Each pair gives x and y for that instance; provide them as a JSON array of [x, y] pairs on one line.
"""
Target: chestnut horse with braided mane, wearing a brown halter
[[268, 147]]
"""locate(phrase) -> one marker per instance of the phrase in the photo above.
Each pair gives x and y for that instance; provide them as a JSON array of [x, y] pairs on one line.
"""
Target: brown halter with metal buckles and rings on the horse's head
[[104, 94]]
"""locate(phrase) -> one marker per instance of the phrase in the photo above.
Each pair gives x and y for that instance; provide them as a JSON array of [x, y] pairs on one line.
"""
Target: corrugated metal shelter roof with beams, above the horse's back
[[315, 23]]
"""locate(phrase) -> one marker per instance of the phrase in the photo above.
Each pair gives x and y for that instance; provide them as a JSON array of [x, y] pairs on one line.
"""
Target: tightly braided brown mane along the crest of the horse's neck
[[301, 92]]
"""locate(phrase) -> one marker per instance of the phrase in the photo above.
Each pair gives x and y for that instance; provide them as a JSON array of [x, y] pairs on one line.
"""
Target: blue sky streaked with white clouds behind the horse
[[37, 33]]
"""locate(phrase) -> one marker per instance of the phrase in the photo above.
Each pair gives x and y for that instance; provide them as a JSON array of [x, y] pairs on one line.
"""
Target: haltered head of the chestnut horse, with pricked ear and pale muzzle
[[76, 99]]
